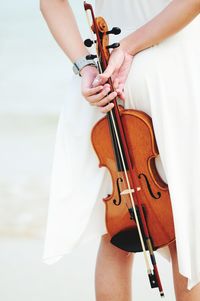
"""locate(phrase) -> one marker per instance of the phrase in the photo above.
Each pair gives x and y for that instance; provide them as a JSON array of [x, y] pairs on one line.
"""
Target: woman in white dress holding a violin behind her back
[[157, 66]]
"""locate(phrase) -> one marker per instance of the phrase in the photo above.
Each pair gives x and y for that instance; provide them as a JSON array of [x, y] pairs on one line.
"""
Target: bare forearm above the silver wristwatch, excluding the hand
[[62, 24]]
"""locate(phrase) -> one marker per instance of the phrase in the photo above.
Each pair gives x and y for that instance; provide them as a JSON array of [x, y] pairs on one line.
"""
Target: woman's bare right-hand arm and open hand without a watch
[[169, 21]]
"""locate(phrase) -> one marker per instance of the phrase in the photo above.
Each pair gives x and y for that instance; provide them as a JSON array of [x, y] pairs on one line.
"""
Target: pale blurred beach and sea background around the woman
[[33, 85]]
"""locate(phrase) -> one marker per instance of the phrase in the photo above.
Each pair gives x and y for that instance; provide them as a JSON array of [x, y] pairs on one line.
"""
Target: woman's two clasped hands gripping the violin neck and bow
[[95, 88]]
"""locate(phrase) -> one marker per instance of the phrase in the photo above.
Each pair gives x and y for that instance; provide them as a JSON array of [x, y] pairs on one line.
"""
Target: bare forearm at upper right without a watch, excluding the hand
[[172, 19]]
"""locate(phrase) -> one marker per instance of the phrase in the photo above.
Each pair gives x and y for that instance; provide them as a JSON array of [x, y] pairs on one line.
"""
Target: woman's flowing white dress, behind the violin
[[164, 81]]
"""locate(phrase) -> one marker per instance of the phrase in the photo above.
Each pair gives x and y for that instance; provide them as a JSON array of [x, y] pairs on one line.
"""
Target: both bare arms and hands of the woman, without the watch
[[63, 26]]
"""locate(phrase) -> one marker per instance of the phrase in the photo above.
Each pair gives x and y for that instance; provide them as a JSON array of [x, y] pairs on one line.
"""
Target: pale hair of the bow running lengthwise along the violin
[[123, 162]]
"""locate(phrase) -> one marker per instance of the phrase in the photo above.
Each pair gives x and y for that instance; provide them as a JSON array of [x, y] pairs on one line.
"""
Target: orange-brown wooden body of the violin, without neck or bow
[[154, 191]]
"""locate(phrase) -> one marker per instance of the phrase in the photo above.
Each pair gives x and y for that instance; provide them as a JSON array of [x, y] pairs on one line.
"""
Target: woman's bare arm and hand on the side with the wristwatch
[[62, 24]]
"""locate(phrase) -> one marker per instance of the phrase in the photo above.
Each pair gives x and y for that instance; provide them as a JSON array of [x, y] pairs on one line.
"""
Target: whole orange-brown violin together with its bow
[[138, 211]]
